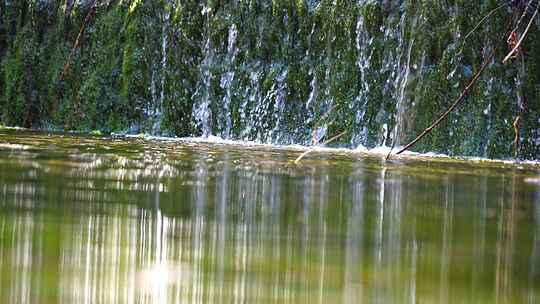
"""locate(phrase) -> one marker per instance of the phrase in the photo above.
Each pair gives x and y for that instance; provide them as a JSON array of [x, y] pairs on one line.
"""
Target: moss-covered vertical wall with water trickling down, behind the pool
[[274, 71]]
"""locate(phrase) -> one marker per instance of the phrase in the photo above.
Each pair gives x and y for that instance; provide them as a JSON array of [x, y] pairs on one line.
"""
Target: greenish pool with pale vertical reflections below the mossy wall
[[89, 220]]
